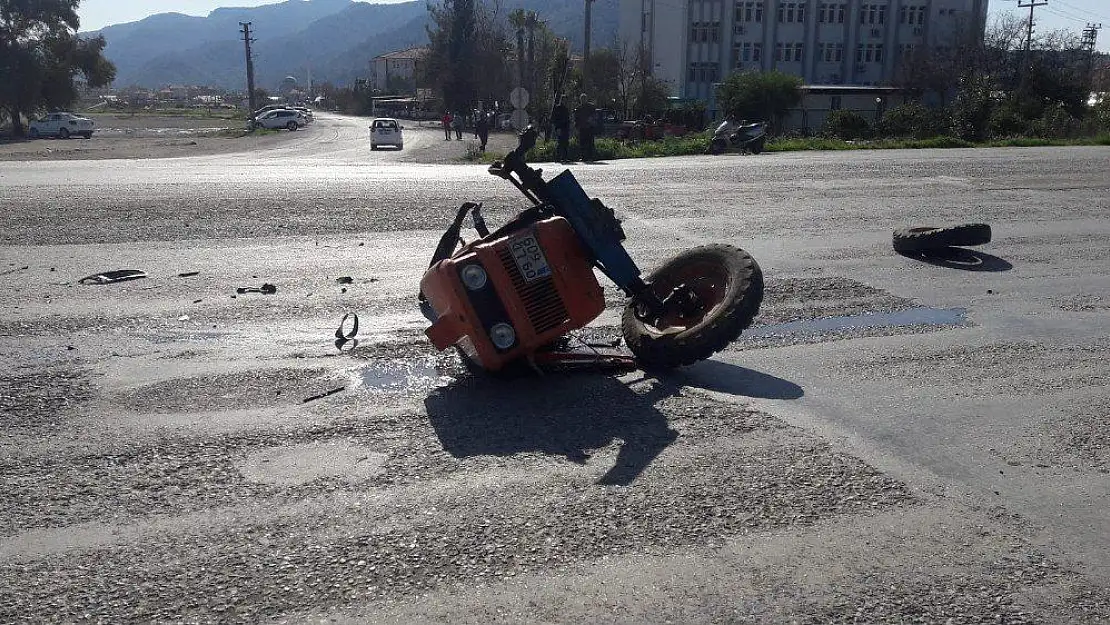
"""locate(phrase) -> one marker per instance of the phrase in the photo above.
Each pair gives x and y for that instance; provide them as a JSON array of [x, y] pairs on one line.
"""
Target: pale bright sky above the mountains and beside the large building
[[1068, 15]]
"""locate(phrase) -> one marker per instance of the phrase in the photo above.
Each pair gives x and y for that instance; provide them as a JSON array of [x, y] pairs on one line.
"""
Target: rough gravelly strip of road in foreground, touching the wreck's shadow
[[709, 489]]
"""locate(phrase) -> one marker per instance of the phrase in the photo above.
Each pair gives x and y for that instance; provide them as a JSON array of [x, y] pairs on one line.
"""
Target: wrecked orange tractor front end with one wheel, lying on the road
[[513, 295]]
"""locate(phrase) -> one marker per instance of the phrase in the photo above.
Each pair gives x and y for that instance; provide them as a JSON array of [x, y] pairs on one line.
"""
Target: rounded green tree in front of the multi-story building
[[760, 96]]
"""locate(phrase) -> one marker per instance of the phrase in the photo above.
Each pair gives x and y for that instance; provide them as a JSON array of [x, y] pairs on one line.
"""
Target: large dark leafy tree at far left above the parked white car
[[42, 58]]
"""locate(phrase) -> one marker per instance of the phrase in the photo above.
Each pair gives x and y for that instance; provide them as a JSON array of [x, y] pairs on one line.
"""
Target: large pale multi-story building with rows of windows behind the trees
[[695, 44]]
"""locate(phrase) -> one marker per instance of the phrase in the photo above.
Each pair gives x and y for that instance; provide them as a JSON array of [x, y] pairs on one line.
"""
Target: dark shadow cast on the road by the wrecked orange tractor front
[[571, 416]]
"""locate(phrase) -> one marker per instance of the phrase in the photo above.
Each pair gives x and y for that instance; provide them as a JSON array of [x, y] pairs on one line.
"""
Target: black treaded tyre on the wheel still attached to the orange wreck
[[735, 311]]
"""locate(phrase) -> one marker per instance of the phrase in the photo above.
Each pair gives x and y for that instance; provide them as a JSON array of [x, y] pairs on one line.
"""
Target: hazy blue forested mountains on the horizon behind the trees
[[332, 41]]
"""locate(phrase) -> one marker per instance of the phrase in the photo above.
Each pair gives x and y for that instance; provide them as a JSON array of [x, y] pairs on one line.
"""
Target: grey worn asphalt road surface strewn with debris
[[895, 441]]
